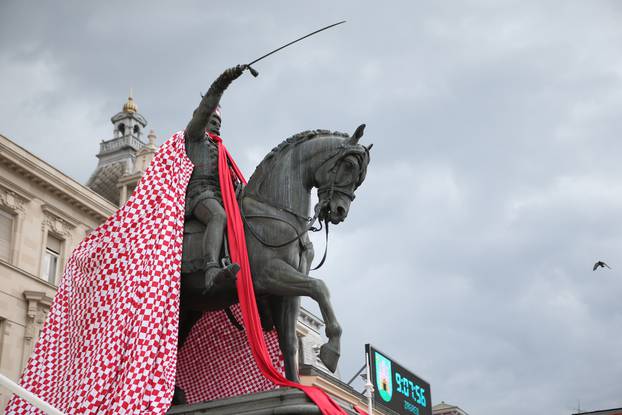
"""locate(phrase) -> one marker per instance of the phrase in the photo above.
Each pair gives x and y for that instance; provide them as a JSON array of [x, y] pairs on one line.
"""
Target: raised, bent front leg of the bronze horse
[[280, 278]]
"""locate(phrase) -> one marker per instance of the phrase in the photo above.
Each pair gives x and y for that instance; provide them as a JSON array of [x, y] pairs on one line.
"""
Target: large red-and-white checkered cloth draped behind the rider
[[109, 345]]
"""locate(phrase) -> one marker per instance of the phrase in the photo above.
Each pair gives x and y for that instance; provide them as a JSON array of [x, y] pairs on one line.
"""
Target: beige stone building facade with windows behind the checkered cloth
[[44, 214]]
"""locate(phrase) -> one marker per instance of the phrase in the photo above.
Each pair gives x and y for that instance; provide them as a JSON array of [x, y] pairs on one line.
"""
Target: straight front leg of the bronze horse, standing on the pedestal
[[286, 313]]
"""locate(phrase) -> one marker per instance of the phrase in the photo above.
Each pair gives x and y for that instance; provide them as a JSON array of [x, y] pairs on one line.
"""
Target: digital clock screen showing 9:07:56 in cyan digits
[[397, 388]]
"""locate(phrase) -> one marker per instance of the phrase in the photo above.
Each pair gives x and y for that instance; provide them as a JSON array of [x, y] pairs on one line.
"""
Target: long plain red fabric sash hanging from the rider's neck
[[246, 293]]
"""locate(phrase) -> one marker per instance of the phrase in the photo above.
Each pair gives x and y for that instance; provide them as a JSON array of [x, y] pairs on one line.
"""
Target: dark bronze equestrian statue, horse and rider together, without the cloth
[[276, 210]]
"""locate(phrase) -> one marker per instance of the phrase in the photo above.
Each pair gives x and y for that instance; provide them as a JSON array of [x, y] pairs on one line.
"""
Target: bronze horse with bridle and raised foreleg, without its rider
[[275, 207]]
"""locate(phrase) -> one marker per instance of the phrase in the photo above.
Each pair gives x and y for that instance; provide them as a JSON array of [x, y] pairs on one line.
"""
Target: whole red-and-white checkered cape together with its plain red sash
[[109, 344]]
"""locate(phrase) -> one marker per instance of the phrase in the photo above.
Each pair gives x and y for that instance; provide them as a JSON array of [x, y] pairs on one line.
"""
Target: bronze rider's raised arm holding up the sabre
[[196, 127]]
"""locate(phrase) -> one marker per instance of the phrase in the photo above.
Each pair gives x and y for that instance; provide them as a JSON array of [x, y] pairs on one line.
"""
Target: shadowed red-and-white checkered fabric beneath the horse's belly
[[209, 368]]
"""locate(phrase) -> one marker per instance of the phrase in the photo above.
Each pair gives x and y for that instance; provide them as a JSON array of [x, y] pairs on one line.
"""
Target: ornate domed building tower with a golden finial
[[117, 156]]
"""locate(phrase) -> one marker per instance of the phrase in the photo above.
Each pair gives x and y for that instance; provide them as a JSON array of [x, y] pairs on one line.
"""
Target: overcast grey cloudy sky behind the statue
[[495, 181]]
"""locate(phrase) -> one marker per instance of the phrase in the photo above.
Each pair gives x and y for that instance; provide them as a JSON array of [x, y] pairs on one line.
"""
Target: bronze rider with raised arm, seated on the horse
[[203, 197]]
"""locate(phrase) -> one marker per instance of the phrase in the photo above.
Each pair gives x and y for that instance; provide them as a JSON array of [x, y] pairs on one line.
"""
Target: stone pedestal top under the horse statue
[[282, 401]]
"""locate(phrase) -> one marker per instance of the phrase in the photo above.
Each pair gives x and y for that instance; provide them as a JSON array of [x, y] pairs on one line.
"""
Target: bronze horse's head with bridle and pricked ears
[[339, 176]]
